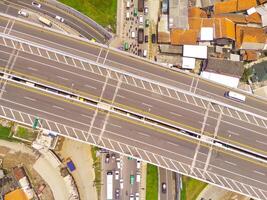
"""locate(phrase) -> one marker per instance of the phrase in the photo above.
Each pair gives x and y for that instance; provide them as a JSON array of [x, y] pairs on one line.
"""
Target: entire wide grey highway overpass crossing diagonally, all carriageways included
[[99, 95]]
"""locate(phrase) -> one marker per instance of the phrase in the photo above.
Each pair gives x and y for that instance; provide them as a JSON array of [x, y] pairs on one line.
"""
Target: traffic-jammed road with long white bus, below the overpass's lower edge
[[121, 177]]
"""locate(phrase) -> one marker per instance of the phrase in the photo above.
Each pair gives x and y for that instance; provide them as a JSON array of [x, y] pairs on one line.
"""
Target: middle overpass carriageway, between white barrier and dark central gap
[[182, 113]]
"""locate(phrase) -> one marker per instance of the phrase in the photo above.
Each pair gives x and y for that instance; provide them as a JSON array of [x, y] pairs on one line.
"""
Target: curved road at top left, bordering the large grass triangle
[[11, 7]]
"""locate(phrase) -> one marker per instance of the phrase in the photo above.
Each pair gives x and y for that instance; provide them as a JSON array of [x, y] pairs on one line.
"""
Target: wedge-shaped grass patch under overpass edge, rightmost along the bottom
[[191, 188]]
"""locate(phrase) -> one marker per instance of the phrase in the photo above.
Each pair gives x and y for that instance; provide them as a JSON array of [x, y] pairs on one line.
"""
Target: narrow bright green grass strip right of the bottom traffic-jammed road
[[152, 182]]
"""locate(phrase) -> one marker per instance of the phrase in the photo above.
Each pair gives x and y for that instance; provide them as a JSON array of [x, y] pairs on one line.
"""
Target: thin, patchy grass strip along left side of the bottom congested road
[[97, 169]]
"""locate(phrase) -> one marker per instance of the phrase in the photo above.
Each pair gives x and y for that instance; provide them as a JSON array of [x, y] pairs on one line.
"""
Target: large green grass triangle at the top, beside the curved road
[[103, 12]]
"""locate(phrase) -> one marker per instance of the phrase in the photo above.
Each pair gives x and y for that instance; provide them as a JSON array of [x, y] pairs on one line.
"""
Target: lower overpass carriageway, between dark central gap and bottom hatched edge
[[151, 144]]
